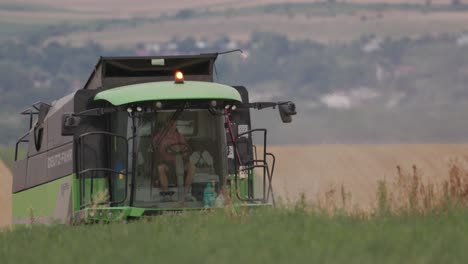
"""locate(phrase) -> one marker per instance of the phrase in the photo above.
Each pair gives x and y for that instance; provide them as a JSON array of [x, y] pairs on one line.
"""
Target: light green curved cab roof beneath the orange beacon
[[189, 90]]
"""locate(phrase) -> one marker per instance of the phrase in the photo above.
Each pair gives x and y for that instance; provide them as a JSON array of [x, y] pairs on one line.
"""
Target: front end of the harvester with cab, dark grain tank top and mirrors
[[156, 139]]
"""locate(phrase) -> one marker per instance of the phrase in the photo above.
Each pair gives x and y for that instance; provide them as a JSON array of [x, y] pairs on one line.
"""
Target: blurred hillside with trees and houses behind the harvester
[[360, 71]]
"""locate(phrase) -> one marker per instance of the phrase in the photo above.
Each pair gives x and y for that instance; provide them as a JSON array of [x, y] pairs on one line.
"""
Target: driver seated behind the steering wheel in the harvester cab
[[169, 144]]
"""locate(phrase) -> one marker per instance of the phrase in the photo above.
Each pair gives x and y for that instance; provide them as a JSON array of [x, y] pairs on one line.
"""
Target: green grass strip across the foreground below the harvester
[[269, 236]]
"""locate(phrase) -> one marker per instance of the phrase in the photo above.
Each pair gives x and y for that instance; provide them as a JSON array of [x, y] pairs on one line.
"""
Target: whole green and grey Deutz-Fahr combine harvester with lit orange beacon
[[96, 154]]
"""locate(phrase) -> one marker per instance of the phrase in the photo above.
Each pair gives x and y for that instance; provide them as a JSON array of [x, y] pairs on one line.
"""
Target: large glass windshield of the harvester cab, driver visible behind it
[[177, 153]]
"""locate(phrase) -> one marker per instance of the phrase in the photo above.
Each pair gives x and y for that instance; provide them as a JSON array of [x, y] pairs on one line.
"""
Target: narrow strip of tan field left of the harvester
[[5, 196]]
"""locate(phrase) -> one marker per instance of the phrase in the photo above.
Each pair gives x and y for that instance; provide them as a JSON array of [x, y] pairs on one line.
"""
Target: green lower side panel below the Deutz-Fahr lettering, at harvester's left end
[[40, 201]]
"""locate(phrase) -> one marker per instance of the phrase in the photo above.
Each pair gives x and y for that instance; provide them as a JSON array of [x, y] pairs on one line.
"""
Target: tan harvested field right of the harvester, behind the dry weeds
[[317, 169]]
